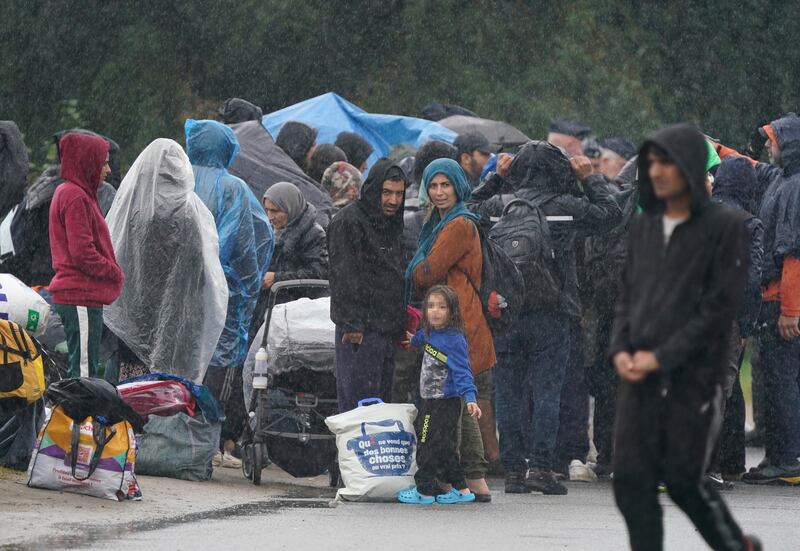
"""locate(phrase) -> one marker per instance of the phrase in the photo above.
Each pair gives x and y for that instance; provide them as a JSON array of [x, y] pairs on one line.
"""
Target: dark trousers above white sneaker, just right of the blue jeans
[[573, 429]]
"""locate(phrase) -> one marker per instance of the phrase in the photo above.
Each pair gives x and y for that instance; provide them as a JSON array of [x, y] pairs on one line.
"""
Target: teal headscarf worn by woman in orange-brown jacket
[[435, 224]]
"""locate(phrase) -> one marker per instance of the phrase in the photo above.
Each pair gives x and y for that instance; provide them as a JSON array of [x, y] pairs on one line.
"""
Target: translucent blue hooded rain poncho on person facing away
[[246, 240]]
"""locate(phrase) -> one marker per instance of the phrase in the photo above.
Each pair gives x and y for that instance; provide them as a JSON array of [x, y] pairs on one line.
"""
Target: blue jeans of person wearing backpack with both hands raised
[[531, 362]]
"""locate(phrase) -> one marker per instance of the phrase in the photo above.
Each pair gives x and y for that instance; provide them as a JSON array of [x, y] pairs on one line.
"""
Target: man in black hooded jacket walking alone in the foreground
[[681, 290]]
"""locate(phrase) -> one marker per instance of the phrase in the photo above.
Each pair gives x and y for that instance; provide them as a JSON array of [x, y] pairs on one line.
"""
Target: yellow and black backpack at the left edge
[[21, 367]]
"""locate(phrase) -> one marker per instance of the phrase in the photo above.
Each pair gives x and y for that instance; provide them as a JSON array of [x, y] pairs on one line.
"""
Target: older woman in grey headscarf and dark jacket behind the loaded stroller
[[301, 251]]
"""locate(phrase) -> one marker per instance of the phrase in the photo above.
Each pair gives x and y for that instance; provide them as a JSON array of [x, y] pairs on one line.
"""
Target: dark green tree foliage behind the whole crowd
[[135, 70]]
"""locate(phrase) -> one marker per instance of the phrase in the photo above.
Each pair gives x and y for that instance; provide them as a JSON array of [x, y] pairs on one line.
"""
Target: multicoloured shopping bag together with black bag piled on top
[[87, 444]]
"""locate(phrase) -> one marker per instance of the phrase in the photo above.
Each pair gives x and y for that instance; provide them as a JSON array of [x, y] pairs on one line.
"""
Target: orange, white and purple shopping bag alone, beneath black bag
[[92, 456]]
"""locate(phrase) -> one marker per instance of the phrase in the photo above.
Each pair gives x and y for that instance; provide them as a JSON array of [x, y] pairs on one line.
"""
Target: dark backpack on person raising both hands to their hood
[[523, 234]]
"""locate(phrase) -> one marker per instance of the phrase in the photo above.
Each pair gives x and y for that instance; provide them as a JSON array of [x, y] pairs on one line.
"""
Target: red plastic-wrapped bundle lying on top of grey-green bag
[[157, 398]]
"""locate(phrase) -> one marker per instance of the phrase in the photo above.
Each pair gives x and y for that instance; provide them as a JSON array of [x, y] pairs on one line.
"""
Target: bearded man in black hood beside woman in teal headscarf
[[367, 286]]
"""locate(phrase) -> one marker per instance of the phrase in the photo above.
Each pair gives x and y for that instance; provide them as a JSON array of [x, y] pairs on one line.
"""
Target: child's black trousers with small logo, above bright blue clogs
[[437, 447]]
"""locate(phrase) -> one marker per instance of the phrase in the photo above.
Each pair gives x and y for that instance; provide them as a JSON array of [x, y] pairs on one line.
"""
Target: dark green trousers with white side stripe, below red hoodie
[[83, 328]]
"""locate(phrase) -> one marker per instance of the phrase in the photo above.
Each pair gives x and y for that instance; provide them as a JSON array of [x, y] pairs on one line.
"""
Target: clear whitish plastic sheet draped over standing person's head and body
[[172, 308]]
